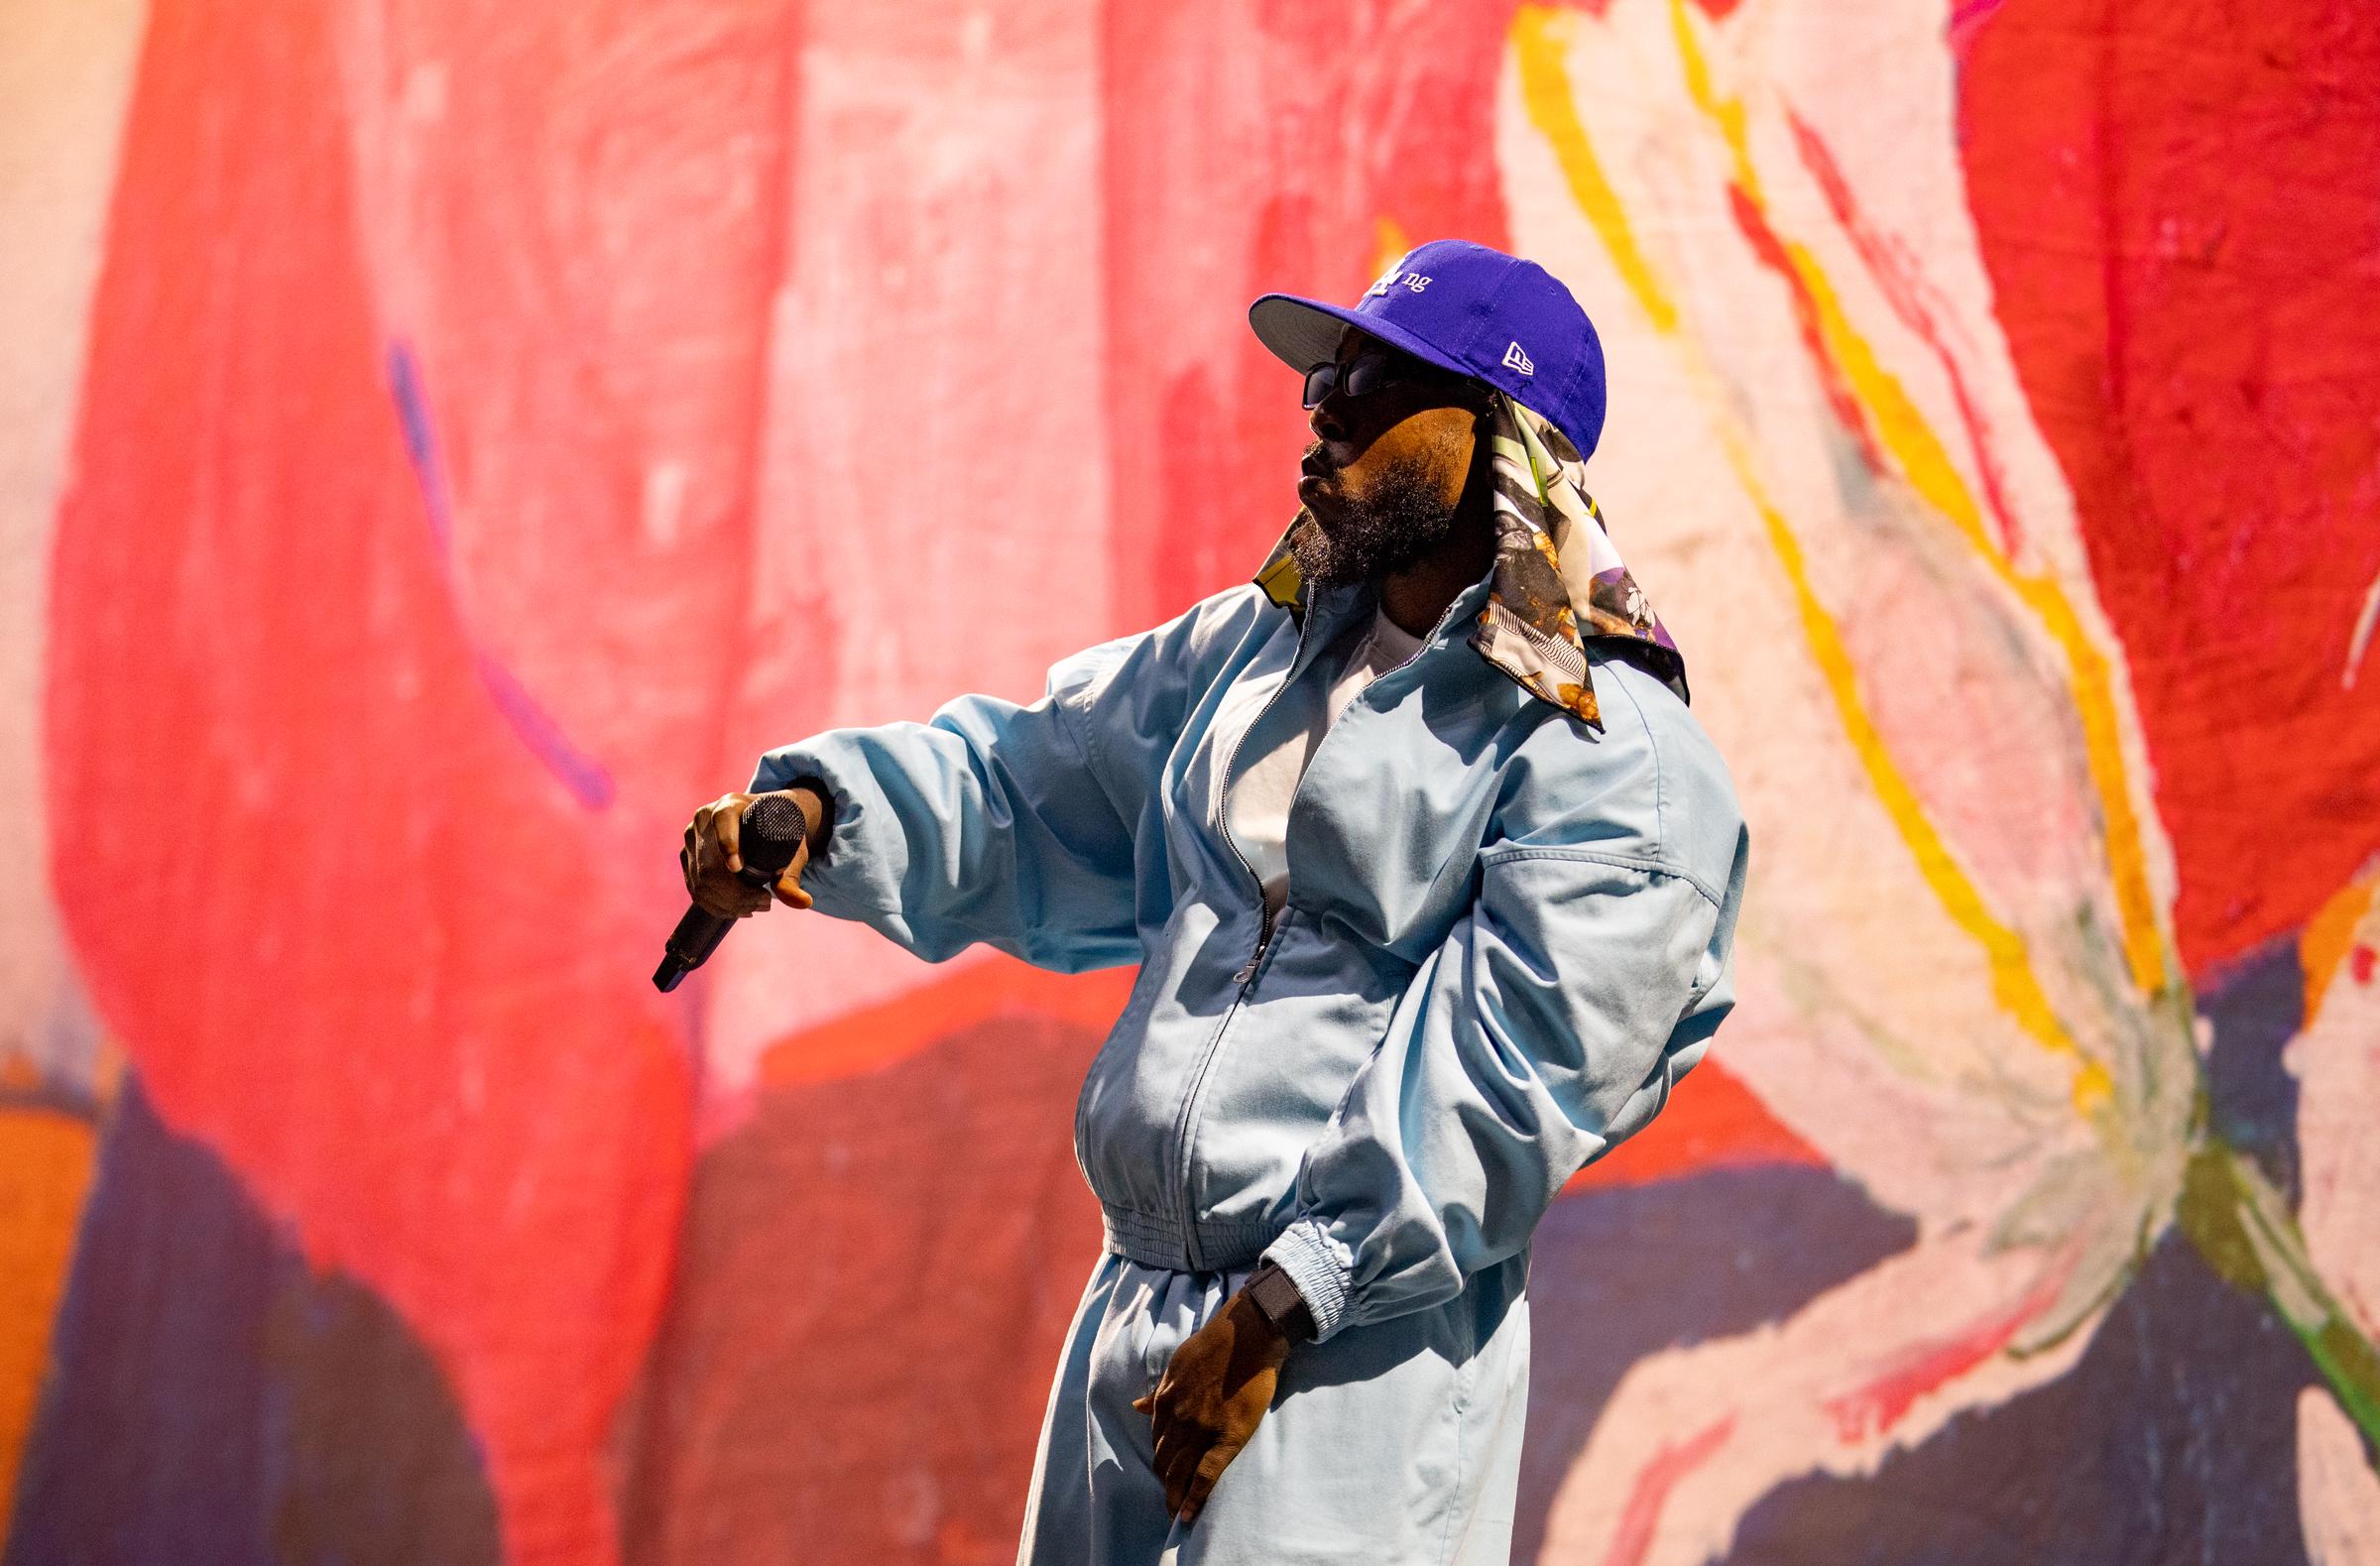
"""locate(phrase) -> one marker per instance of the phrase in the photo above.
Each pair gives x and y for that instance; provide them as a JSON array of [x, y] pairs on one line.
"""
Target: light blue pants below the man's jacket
[[1393, 1443]]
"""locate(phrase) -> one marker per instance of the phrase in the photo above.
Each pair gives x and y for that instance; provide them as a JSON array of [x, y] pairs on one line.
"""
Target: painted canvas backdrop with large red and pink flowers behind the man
[[444, 444]]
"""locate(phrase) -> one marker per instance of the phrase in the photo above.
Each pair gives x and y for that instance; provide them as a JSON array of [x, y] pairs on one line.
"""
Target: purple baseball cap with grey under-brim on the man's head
[[1472, 311]]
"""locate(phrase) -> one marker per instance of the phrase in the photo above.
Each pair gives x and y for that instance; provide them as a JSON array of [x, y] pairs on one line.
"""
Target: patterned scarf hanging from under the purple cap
[[1558, 580]]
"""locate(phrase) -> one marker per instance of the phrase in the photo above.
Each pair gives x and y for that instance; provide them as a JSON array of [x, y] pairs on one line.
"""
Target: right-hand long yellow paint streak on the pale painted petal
[[1936, 480]]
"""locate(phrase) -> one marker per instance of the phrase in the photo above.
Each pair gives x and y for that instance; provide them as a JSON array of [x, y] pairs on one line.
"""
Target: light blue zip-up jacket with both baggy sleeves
[[1505, 934]]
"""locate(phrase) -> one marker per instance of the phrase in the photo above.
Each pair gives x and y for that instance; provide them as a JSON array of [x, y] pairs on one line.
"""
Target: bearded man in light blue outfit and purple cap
[[1432, 879]]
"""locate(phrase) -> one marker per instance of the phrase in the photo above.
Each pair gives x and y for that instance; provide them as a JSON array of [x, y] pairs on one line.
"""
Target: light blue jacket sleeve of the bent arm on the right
[[1546, 1029]]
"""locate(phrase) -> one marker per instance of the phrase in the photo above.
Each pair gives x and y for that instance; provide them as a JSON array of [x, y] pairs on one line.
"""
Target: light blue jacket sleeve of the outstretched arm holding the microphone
[[998, 822]]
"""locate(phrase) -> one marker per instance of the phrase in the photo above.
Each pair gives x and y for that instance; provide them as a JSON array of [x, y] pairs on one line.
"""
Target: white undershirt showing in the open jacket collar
[[1267, 779]]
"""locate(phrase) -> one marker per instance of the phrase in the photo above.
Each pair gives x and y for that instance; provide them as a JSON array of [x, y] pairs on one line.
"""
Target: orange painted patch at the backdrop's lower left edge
[[44, 1174]]
